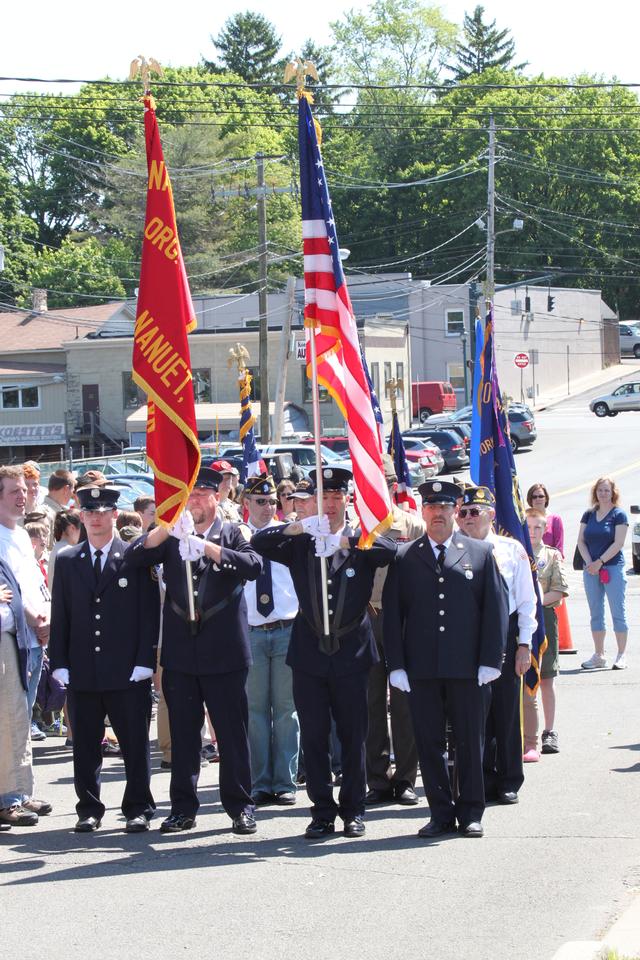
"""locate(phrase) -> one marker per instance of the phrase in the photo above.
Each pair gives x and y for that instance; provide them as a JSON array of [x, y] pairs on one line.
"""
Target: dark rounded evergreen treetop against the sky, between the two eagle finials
[[248, 46]]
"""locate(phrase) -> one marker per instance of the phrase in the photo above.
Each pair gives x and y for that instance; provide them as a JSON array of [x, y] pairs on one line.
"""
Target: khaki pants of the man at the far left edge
[[16, 772]]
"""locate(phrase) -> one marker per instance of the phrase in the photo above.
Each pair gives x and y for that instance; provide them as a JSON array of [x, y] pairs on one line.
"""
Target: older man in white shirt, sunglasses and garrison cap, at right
[[503, 770]]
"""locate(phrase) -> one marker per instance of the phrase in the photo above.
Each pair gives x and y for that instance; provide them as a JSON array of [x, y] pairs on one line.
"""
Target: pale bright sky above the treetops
[[73, 39]]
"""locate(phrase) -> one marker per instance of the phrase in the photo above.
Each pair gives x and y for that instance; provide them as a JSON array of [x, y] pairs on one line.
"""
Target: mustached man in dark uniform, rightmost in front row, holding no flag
[[445, 617]]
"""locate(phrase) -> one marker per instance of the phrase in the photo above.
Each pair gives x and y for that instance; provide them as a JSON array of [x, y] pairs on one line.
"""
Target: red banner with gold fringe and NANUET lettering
[[161, 361]]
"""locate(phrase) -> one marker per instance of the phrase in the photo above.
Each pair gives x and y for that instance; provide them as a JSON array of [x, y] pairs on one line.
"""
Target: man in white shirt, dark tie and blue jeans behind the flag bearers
[[272, 604]]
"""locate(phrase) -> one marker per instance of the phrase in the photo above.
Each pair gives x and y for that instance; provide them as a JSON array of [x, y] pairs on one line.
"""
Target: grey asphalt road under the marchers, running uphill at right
[[559, 866]]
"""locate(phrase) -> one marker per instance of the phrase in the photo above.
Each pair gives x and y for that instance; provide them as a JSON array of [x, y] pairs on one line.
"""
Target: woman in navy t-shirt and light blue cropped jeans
[[603, 530]]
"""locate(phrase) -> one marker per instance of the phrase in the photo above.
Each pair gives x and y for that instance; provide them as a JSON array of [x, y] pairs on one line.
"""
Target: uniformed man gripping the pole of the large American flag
[[330, 674]]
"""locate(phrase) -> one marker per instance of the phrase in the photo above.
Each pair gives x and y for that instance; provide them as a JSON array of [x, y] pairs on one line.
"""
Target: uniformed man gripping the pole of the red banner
[[206, 661]]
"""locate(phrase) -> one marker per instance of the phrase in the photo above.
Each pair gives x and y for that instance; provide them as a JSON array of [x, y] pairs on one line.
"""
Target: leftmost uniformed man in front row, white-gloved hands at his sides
[[105, 622]]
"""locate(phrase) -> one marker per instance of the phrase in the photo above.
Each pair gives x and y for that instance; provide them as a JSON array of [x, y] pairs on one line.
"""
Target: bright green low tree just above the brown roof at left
[[76, 273]]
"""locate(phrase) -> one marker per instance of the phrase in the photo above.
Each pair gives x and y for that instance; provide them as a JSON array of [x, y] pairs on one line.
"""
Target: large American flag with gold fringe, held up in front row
[[329, 312]]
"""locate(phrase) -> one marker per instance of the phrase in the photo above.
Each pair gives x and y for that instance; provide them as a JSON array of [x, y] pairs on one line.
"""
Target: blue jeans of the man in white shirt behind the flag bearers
[[274, 731]]
